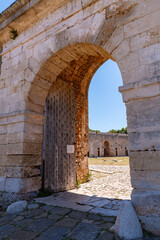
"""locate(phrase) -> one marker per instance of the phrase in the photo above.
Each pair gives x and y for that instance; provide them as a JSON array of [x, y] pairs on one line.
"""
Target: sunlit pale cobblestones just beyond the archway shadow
[[109, 182]]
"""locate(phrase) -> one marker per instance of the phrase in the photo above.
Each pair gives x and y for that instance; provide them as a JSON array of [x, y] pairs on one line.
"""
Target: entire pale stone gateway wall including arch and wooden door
[[47, 45]]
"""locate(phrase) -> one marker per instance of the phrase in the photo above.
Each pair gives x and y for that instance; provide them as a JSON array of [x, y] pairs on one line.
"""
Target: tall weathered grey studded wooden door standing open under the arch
[[59, 167]]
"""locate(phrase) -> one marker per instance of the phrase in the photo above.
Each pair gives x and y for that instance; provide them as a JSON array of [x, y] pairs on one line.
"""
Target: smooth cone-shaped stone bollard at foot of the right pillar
[[127, 225]]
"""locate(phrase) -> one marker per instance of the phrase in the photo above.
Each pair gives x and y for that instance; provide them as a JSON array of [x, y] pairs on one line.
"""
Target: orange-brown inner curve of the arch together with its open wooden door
[[71, 68]]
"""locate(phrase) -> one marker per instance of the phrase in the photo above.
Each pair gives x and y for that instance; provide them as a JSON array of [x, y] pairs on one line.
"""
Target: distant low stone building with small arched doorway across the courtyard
[[107, 144]]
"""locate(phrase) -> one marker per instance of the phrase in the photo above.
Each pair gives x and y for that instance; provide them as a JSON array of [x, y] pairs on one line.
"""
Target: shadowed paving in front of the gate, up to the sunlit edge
[[64, 215]]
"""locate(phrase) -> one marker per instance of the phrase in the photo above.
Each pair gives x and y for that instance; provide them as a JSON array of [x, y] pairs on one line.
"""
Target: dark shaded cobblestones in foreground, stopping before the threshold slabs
[[43, 222]]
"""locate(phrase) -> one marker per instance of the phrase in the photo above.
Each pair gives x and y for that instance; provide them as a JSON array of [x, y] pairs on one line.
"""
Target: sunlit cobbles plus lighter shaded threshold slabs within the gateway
[[102, 195]]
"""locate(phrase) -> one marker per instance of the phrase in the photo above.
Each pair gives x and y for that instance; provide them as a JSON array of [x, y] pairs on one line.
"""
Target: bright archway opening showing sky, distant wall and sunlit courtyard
[[110, 169]]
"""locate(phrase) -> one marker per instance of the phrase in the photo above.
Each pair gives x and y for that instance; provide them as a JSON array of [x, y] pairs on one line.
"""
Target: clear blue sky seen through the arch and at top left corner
[[106, 109]]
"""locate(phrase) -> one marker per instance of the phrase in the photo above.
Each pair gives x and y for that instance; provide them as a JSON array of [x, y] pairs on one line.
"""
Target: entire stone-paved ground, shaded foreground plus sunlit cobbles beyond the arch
[[86, 213]]
